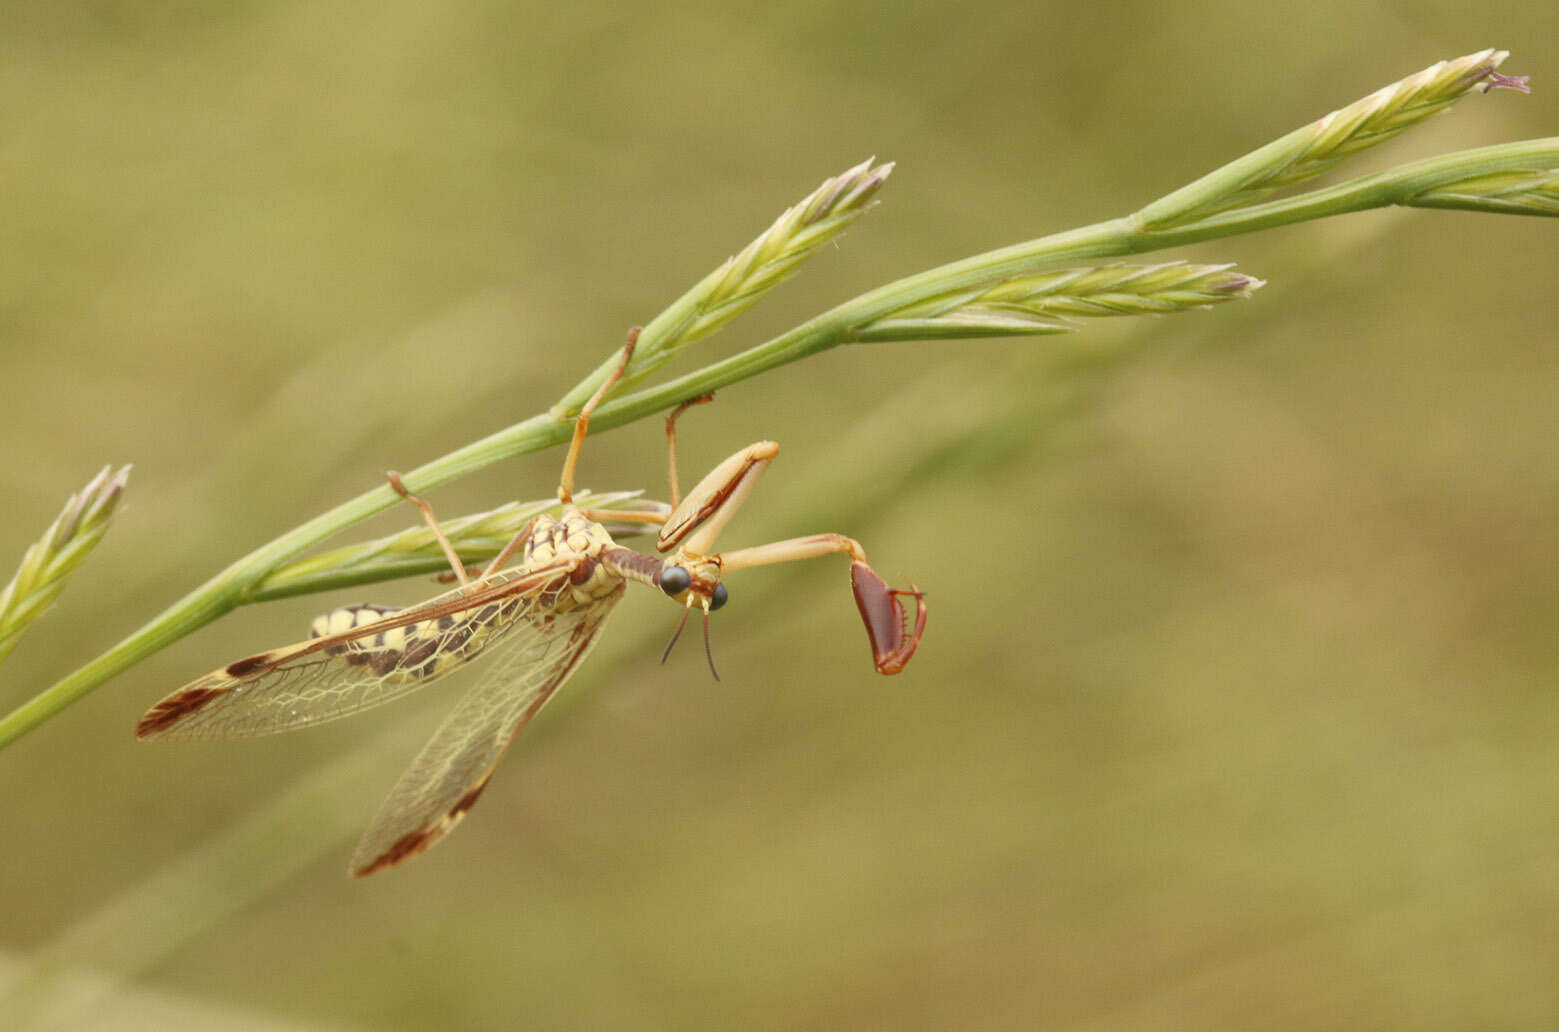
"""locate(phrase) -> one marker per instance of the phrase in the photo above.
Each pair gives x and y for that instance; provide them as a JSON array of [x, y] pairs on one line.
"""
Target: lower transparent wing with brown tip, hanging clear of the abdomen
[[450, 774]]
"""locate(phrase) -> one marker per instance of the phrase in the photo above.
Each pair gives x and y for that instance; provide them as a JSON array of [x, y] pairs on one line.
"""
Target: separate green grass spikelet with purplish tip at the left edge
[[51, 560]]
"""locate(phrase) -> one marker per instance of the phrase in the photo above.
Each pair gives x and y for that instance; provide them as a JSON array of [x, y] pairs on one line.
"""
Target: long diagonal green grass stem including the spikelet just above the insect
[[1179, 219]]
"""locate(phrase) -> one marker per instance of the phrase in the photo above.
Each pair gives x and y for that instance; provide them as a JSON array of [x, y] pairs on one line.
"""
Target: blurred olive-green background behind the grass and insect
[[1237, 707]]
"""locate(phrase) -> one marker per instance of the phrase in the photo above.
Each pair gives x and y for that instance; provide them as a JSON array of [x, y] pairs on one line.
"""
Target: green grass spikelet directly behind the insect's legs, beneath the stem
[[478, 539]]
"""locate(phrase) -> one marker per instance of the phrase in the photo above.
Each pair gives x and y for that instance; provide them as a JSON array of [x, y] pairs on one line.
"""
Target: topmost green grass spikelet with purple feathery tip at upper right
[[1315, 149]]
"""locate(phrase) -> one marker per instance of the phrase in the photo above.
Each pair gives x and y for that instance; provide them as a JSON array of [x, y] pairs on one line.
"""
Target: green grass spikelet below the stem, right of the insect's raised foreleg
[[1048, 303]]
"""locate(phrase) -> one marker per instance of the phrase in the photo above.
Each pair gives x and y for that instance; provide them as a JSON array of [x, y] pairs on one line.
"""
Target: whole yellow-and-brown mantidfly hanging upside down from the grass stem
[[537, 620]]
